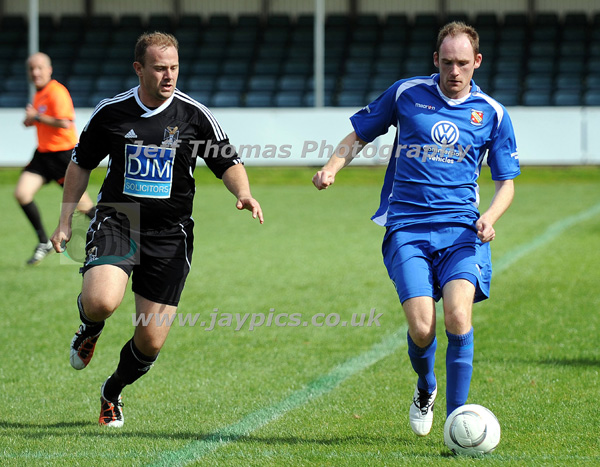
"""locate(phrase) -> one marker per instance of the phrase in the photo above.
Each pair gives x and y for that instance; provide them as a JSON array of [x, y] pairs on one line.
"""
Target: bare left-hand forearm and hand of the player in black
[[76, 181]]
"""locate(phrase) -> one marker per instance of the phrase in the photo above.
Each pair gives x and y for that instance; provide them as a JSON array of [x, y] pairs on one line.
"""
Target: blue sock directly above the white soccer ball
[[459, 369]]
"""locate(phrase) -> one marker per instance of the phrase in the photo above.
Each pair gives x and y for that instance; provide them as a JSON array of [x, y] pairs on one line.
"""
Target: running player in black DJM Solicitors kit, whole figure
[[152, 134]]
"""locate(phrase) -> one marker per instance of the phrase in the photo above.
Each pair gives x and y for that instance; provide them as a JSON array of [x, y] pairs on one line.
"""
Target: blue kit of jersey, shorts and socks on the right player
[[429, 201]]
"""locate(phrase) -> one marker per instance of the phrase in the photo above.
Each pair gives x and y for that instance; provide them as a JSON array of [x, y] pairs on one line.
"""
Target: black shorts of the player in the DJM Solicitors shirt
[[157, 261]]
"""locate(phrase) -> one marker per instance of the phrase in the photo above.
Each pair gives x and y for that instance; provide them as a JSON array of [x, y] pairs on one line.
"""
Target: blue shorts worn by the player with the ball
[[422, 258]]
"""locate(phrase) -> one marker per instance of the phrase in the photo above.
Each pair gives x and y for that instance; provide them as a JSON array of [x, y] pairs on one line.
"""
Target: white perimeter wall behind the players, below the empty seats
[[305, 136]]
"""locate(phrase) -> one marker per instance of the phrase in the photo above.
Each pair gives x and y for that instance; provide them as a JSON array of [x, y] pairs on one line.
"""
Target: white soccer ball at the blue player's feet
[[472, 430]]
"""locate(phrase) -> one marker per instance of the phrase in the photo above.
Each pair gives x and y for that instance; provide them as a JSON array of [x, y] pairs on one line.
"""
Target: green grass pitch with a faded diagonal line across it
[[310, 395]]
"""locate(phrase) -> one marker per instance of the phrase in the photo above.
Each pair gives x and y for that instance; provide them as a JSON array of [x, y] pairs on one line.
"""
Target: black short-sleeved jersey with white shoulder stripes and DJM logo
[[152, 154]]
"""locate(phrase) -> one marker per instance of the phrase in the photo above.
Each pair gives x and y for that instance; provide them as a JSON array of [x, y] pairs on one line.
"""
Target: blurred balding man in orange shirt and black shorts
[[53, 115]]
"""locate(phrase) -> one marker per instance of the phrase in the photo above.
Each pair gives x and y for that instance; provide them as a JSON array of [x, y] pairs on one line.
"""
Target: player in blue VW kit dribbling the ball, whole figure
[[436, 243]]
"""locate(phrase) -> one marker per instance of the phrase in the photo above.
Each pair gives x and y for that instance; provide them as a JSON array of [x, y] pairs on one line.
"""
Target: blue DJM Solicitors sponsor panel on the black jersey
[[148, 171]]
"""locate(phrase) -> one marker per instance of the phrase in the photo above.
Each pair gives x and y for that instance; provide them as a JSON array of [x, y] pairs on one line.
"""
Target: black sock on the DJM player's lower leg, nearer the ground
[[132, 366]]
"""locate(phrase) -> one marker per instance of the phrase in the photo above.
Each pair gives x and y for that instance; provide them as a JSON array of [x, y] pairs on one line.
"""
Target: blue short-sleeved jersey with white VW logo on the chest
[[439, 148]]
